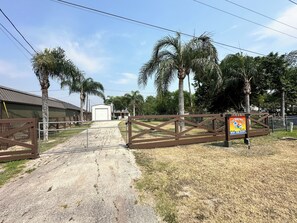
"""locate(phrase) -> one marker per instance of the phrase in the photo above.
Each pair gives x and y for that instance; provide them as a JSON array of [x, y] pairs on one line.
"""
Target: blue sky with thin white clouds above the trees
[[112, 50]]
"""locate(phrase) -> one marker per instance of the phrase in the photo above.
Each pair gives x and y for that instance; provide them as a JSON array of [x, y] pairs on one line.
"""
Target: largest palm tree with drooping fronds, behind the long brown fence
[[171, 58]]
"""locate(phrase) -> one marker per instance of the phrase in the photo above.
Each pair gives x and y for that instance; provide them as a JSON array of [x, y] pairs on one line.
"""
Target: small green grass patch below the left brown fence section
[[10, 170]]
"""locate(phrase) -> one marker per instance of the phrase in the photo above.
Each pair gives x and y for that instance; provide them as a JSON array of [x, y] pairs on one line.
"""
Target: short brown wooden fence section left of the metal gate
[[18, 139]]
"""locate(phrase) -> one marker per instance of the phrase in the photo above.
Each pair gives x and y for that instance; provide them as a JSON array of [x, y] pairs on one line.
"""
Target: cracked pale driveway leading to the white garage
[[77, 184]]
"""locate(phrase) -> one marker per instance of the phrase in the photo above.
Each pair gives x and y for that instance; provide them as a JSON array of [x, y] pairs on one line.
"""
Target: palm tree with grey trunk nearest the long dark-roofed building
[[51, 63]]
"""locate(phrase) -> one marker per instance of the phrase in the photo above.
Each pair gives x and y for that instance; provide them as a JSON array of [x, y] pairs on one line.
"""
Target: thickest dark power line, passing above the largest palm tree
[[70, 4]]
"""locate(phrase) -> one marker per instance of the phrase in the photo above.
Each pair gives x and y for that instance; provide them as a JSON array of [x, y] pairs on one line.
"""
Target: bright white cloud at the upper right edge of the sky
[[277, 39]]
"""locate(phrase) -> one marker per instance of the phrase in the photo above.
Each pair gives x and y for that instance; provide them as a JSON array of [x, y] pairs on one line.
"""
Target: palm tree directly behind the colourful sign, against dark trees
[[240, 68]]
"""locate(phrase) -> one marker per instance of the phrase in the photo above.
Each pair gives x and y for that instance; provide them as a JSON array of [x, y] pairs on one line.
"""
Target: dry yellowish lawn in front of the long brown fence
[[211, 183]]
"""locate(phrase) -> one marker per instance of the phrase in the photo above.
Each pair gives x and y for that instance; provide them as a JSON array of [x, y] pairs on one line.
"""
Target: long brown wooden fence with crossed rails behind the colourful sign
[[172, 130]]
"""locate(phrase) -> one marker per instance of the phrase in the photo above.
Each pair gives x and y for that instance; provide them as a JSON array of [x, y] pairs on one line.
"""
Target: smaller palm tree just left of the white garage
[[84, 86]]
